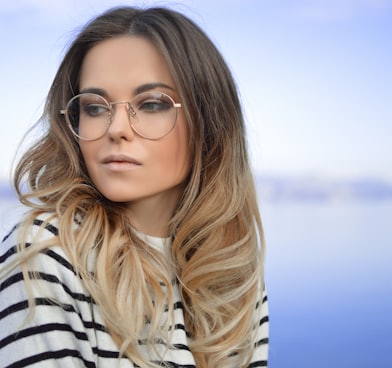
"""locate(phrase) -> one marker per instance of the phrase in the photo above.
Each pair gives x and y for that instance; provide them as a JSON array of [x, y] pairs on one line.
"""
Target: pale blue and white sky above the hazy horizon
[[315, 76]]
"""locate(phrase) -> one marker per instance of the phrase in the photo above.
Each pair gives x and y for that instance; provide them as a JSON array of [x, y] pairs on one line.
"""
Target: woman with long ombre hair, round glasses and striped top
[[143, 243]]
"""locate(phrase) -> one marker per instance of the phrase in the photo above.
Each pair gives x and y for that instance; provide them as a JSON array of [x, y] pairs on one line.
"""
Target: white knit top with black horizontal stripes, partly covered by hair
[[72, 333]]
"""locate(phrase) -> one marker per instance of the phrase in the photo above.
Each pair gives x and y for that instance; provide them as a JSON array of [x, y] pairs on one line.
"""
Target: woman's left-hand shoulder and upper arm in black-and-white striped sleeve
[[45, 313]]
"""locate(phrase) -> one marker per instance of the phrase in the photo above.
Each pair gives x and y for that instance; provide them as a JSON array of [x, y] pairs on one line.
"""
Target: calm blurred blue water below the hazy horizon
[[329, 280]]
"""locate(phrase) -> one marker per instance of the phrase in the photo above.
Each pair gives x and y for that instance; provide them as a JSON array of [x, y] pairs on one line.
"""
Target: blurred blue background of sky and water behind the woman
[[315, 79]]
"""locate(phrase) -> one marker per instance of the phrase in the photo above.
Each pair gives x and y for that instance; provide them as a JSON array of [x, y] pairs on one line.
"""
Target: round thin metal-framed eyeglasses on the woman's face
[[152, 115]]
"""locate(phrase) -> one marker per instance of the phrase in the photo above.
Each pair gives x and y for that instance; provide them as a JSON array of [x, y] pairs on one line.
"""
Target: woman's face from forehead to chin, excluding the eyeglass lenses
[[124, 166]]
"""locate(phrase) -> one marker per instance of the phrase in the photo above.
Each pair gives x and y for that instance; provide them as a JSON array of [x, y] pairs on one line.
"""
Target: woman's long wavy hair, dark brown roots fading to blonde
[[217, 249]]
